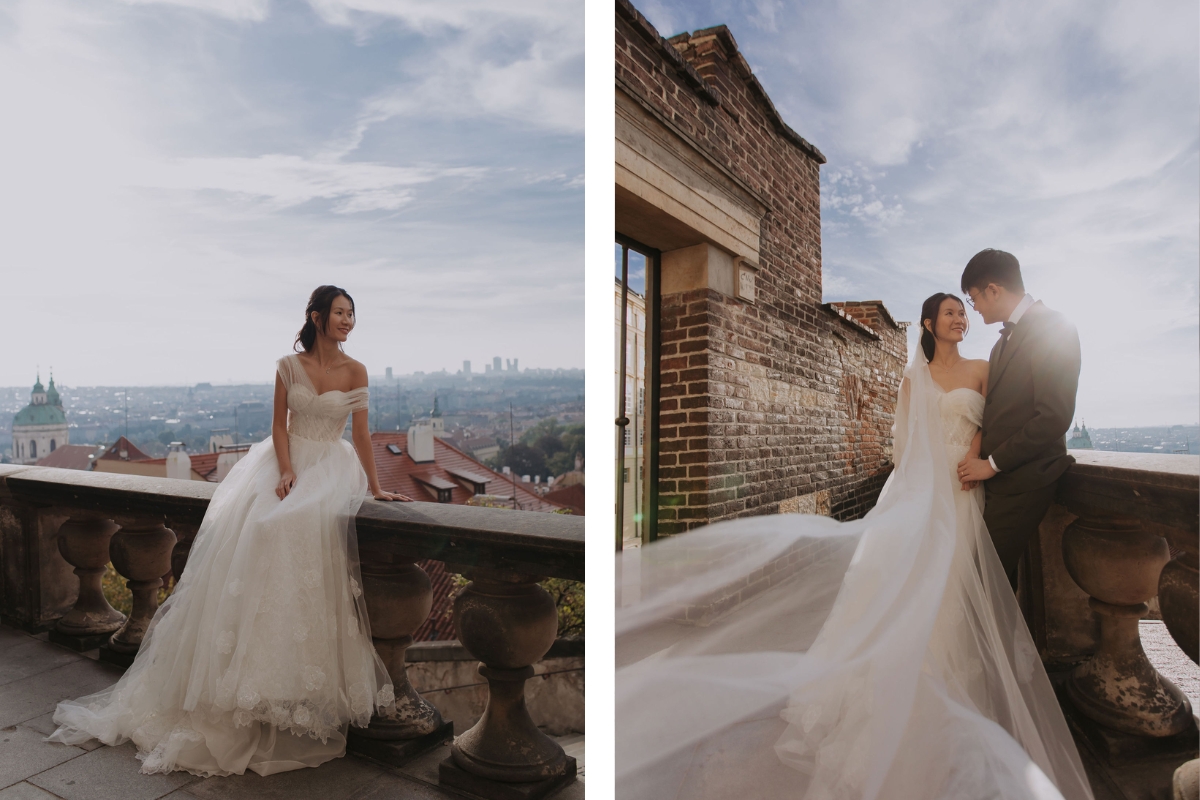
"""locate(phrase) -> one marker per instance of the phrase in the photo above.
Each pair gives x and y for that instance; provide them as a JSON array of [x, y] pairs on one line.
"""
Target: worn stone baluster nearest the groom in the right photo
[[1119, 566]]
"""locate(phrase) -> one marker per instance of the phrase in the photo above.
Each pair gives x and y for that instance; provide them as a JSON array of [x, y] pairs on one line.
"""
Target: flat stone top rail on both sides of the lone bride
[[547, 545]]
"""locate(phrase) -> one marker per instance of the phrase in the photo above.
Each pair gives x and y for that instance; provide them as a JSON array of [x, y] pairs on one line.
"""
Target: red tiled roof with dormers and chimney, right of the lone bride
[[403, 474]]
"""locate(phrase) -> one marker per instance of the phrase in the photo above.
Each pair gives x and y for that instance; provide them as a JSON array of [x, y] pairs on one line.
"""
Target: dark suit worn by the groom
[[1031, 402]]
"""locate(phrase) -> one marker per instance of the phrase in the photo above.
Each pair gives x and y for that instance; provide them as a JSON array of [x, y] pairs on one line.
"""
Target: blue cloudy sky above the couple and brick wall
[[1065, 133]]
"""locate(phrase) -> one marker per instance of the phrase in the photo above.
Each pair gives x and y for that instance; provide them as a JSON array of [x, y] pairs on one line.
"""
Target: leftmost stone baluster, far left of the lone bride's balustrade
[[83, 542]]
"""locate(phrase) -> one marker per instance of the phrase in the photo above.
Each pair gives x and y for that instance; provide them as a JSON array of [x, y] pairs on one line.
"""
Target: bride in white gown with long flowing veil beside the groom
[[794, 657]]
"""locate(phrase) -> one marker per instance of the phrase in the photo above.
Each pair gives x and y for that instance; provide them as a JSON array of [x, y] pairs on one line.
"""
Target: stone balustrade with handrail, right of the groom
[[1105, 552]]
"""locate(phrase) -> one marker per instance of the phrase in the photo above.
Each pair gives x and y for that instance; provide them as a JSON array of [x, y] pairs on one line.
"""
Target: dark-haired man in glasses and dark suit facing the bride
[[1034, 374]]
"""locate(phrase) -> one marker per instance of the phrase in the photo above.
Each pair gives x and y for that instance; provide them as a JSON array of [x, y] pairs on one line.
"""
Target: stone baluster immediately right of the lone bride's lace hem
[[399, 598]]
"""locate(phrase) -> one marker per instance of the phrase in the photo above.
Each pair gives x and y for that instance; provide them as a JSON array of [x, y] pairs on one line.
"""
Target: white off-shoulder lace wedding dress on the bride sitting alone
[[262, 657]]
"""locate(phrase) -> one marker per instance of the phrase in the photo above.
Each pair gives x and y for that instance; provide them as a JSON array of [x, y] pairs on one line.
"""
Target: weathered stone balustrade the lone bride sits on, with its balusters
[[61, 528]]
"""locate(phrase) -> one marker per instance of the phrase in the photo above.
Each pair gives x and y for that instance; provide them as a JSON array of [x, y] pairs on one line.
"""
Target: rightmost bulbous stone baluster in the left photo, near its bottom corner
[[509, 623]]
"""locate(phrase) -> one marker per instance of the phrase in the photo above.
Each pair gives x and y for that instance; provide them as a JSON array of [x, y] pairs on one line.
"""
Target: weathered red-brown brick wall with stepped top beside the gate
[[783, 398]]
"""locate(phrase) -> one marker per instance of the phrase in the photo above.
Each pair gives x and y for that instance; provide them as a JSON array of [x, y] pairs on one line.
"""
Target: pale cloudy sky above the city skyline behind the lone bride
[[179, 176]]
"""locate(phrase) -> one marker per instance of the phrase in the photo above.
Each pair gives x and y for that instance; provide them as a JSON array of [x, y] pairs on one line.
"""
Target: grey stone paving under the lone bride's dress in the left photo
[[37, 675]]
